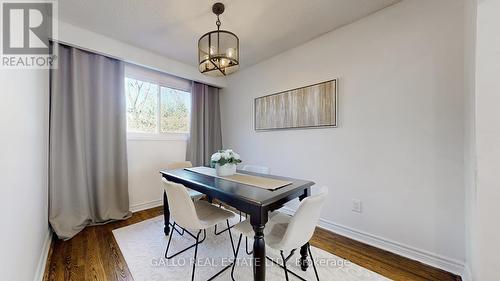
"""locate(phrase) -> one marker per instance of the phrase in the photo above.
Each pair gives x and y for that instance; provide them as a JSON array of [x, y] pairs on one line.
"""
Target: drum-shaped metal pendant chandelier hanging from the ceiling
[[218, 50]]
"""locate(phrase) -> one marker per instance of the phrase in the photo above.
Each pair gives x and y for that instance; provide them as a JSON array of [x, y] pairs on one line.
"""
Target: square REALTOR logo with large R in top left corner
[[27, 28]]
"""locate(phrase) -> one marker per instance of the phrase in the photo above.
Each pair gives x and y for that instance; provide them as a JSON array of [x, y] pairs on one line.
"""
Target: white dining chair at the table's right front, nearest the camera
[[288, 233]]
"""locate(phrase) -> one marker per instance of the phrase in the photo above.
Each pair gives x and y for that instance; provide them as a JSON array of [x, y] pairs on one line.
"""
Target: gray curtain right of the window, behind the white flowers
[[205, 136]]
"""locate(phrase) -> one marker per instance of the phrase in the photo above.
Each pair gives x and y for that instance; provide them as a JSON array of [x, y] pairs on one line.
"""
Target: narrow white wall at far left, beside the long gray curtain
[[23, 173]]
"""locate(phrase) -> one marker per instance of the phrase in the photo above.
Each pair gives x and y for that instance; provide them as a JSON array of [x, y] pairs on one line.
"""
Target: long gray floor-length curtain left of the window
[[88, 149]]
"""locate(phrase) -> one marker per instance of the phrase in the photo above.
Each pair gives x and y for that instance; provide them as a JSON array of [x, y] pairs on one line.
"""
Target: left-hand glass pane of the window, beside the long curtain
[[142, 100]]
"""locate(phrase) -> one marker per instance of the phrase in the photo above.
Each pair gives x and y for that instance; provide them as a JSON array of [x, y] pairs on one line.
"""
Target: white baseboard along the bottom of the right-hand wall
[[432, 259]]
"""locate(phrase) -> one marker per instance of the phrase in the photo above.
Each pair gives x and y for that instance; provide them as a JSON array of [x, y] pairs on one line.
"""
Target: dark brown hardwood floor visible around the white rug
[[94, 255]]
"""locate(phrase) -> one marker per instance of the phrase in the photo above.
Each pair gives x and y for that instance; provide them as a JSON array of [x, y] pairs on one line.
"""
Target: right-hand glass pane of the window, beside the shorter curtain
[[175, 110]]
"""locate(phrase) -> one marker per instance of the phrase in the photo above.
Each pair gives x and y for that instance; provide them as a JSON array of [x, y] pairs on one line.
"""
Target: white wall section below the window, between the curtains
[[145, 160]]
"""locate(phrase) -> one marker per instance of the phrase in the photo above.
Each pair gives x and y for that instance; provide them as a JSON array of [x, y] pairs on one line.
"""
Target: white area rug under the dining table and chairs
[[143, 246]]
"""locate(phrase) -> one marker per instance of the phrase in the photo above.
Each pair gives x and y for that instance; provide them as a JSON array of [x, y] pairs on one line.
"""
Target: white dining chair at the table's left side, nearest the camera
[[195, 215]]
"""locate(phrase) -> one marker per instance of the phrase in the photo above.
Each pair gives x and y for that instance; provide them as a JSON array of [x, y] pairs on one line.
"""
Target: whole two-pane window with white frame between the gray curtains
[[156, 107]]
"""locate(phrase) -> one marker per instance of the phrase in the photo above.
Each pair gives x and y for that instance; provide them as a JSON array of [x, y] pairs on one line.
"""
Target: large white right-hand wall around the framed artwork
[[399, 146]]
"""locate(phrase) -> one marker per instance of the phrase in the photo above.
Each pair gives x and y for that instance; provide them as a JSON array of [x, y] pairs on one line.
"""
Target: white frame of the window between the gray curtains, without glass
[[142, 75]]
